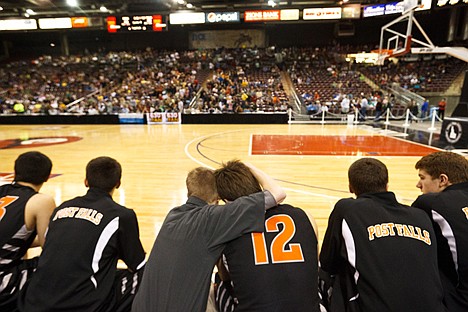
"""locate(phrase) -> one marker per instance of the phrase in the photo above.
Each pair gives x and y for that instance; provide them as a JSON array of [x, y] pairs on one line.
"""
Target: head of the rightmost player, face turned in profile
[[439, 170]]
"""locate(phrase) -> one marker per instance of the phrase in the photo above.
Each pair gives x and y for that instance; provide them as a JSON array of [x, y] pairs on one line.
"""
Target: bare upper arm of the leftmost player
[[37, 214]]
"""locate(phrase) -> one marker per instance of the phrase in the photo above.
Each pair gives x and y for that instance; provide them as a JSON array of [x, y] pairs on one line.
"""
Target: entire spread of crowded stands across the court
[[211, 81]]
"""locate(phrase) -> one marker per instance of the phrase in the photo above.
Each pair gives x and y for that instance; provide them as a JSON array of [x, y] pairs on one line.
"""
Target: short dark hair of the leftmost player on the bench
[[32, 167]]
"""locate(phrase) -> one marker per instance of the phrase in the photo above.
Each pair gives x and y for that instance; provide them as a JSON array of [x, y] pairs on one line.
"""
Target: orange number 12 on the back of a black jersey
[[281, 251]]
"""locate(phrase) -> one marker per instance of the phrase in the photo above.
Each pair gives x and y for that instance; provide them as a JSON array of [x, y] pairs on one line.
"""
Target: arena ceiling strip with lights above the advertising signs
[[51, 8]]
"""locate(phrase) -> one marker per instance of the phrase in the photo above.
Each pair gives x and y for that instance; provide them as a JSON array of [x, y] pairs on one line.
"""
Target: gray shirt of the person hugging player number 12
[[191, 240]]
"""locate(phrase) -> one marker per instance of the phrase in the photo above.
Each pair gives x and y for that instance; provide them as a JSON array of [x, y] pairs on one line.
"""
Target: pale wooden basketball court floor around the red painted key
[[156, 159]]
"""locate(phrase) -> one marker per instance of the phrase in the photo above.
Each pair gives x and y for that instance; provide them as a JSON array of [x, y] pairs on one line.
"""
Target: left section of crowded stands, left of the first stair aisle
[[106, 83]]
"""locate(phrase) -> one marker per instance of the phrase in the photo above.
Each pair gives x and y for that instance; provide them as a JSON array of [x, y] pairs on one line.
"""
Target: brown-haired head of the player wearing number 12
[[234, 179]]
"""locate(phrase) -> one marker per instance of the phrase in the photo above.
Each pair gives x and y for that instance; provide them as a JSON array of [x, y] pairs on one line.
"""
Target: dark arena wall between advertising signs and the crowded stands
[[286, 34]]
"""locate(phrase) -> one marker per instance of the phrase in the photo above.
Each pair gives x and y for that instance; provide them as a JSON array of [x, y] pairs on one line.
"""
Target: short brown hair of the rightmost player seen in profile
[[455, 166]]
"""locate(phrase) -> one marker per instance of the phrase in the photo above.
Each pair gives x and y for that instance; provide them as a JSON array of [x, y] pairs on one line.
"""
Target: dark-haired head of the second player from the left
[[103, 173]]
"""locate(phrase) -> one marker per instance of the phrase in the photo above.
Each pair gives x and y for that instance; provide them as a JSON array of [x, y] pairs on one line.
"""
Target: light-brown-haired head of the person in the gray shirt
[[201, 183]]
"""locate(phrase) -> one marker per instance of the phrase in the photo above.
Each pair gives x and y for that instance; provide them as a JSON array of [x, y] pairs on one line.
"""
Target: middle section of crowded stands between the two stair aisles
[[244, 81]]
